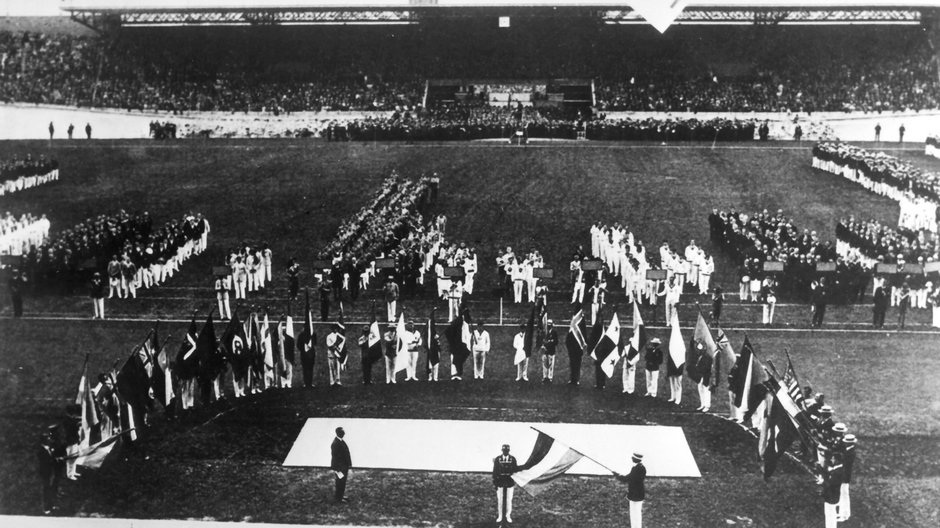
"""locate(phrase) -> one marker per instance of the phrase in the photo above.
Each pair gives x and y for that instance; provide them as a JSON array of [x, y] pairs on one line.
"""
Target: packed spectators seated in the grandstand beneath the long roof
[[228, 71]]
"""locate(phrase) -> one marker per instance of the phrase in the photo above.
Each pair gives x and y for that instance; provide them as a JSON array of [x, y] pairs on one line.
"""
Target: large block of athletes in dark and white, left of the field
[[122, 251]]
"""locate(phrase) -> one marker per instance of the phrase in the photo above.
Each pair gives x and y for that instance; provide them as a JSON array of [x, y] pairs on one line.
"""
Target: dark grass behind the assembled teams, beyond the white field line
[[293, 194]]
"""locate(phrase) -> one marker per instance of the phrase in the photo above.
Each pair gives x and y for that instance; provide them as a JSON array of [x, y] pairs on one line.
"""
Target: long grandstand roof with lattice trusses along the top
[[658, 13]]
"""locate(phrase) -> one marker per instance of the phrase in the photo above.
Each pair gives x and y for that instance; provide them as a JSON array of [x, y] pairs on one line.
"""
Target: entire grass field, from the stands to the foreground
[[224, 461]]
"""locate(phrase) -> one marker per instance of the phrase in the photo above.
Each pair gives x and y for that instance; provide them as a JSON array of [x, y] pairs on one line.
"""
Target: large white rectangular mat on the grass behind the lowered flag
[[470, 446]]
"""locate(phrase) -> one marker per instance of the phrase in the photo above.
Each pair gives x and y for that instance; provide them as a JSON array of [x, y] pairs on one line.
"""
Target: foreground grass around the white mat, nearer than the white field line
[[224, 461]]
